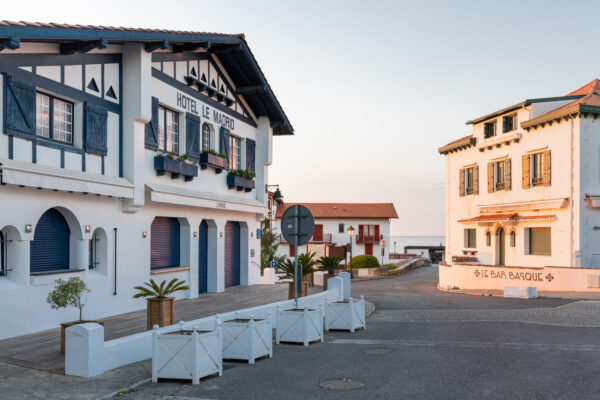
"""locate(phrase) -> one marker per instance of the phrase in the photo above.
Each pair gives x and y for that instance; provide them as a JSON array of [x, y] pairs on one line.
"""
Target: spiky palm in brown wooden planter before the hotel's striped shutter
[[160, 308]]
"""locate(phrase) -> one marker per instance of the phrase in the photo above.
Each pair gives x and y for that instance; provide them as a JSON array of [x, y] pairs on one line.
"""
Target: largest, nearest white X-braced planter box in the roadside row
[[186, 354]]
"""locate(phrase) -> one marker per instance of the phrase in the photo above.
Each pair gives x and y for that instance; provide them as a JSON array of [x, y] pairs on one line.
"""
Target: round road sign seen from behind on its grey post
[[297, 226]]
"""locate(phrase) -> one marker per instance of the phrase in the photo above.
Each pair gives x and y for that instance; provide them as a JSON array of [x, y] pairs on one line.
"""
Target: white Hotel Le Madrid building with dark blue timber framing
[[115, 156]]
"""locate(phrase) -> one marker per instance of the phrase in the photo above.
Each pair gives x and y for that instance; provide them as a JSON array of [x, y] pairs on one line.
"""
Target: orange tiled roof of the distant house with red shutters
[[345, 210]]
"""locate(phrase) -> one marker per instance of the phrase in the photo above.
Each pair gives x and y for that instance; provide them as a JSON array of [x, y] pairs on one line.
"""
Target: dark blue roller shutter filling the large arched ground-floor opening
[[49, 250]]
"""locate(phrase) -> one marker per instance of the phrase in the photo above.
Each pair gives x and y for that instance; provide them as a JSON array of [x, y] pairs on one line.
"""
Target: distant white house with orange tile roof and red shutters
[[370, 223]]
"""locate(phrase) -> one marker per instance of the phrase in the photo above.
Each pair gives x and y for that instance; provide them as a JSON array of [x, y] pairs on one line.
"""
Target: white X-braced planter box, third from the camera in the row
[[300, 325]]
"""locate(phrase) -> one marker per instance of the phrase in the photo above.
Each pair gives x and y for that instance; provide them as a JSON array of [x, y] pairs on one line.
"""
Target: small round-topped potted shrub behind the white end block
[[72, 292]]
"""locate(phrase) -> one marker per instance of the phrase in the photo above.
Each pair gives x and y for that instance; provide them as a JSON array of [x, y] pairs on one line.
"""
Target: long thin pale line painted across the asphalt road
[[471, 344]]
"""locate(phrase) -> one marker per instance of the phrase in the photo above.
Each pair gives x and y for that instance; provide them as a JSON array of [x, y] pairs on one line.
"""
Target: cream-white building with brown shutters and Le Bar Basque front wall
[[523, 196]]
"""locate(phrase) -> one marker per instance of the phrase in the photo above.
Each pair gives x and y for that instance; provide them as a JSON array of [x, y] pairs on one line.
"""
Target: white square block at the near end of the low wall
[[84, 350]]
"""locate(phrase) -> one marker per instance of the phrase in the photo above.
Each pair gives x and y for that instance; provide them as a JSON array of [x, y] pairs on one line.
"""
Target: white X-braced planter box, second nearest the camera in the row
[[247, 339]]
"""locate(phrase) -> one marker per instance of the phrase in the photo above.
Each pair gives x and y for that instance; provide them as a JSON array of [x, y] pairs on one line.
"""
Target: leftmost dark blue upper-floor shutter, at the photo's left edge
[[19, 108]]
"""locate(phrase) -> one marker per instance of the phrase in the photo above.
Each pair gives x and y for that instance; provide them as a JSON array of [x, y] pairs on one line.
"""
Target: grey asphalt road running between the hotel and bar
[[439, 346]]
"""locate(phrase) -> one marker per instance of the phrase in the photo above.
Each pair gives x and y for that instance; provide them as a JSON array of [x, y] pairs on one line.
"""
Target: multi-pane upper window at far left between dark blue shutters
[[54, 118]]
